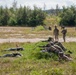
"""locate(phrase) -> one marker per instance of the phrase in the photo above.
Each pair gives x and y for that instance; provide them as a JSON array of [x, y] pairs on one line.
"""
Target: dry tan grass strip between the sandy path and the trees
[[28, 32]]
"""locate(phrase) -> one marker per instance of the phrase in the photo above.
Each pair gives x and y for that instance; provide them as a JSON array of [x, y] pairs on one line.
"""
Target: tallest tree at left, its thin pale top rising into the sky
[[13, 14]]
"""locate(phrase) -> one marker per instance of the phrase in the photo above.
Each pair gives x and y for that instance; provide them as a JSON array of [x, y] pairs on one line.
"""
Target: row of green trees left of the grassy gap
[[22, 16]]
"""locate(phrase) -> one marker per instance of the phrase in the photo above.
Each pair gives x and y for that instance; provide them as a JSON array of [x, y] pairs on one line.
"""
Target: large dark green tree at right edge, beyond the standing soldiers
[[68, 16]]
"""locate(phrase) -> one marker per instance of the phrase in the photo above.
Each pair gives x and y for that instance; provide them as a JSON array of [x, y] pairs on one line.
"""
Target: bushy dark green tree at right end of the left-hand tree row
[[37, 17]]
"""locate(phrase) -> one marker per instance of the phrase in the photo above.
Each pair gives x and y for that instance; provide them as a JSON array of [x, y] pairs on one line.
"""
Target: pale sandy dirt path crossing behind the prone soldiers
[[68, 39]]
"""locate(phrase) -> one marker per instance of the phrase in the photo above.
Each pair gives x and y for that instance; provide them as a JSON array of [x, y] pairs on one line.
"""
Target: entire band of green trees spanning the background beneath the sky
[[25, 16]]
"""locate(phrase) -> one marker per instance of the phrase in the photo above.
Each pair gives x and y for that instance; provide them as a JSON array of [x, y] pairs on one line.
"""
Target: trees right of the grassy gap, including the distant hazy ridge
[[67, 15]]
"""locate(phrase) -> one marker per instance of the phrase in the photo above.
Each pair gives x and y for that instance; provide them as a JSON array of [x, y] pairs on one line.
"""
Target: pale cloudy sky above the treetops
[[39, 3]]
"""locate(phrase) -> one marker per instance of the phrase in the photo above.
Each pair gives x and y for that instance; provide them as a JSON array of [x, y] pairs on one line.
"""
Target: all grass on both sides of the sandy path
[[33, 62]]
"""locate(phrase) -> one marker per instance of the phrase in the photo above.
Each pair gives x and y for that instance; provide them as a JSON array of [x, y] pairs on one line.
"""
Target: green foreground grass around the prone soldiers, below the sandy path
[[35, 63]]
